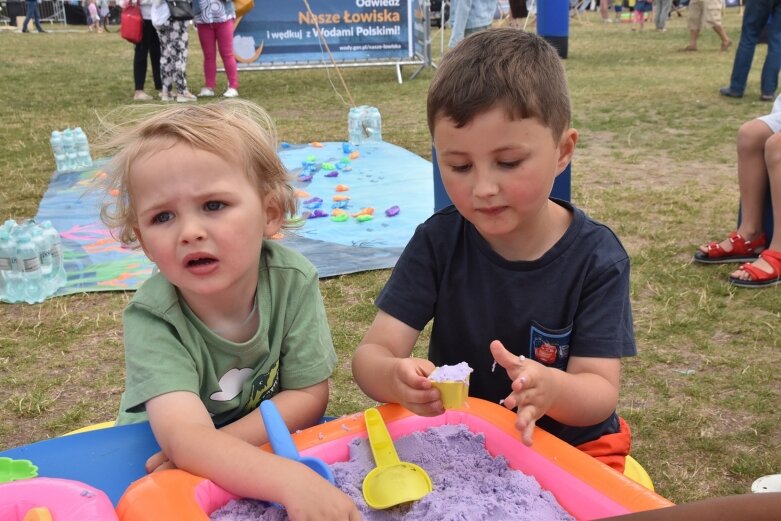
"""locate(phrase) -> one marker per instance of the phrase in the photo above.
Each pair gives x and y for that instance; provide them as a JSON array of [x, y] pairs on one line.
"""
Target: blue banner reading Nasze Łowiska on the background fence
[[284, 32]]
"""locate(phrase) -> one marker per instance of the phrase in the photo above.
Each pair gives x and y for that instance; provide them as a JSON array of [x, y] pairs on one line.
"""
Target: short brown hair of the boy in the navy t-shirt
[[501, 67]]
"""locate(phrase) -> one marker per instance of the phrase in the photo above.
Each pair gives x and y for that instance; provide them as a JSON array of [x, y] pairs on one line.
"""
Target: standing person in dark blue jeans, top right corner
[[757, 14]]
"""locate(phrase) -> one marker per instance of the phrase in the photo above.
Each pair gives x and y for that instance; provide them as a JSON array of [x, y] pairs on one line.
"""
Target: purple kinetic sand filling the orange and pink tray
[[468, 483]]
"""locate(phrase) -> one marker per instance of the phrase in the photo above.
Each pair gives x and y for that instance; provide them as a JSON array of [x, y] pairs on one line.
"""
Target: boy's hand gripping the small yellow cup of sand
[[414, 389]]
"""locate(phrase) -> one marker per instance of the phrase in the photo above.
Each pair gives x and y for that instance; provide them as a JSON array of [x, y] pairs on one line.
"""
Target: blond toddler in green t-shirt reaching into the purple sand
[[231, 319]]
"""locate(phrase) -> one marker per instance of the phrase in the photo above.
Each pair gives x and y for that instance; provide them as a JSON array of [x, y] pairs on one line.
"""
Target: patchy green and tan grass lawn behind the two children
[[656, 162]]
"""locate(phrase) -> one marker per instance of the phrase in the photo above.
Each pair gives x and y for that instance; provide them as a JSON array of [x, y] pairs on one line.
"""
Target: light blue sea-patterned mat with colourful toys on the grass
[[382, 176]]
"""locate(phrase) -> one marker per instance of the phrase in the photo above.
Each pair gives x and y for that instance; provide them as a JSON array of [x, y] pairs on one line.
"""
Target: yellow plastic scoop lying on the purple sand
[[393, 481]]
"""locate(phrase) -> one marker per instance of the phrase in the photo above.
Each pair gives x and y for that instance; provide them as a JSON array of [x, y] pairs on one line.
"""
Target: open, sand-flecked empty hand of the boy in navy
[[534, 388]]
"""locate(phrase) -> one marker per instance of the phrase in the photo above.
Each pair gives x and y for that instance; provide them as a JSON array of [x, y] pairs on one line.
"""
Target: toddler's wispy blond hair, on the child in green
[[238, 131]]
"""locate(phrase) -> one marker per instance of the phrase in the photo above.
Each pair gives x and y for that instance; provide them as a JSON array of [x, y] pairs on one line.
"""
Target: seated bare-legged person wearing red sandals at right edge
[[759, 170]]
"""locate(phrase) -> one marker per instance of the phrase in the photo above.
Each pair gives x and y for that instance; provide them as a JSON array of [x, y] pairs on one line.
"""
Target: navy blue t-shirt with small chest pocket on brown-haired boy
[[572, 301]]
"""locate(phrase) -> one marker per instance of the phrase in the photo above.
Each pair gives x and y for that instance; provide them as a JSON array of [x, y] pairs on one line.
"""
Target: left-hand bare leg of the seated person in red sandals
[[752, 179]]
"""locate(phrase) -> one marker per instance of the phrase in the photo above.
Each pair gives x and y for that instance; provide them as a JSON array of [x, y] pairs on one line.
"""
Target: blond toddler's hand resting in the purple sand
[[314, 499]]
